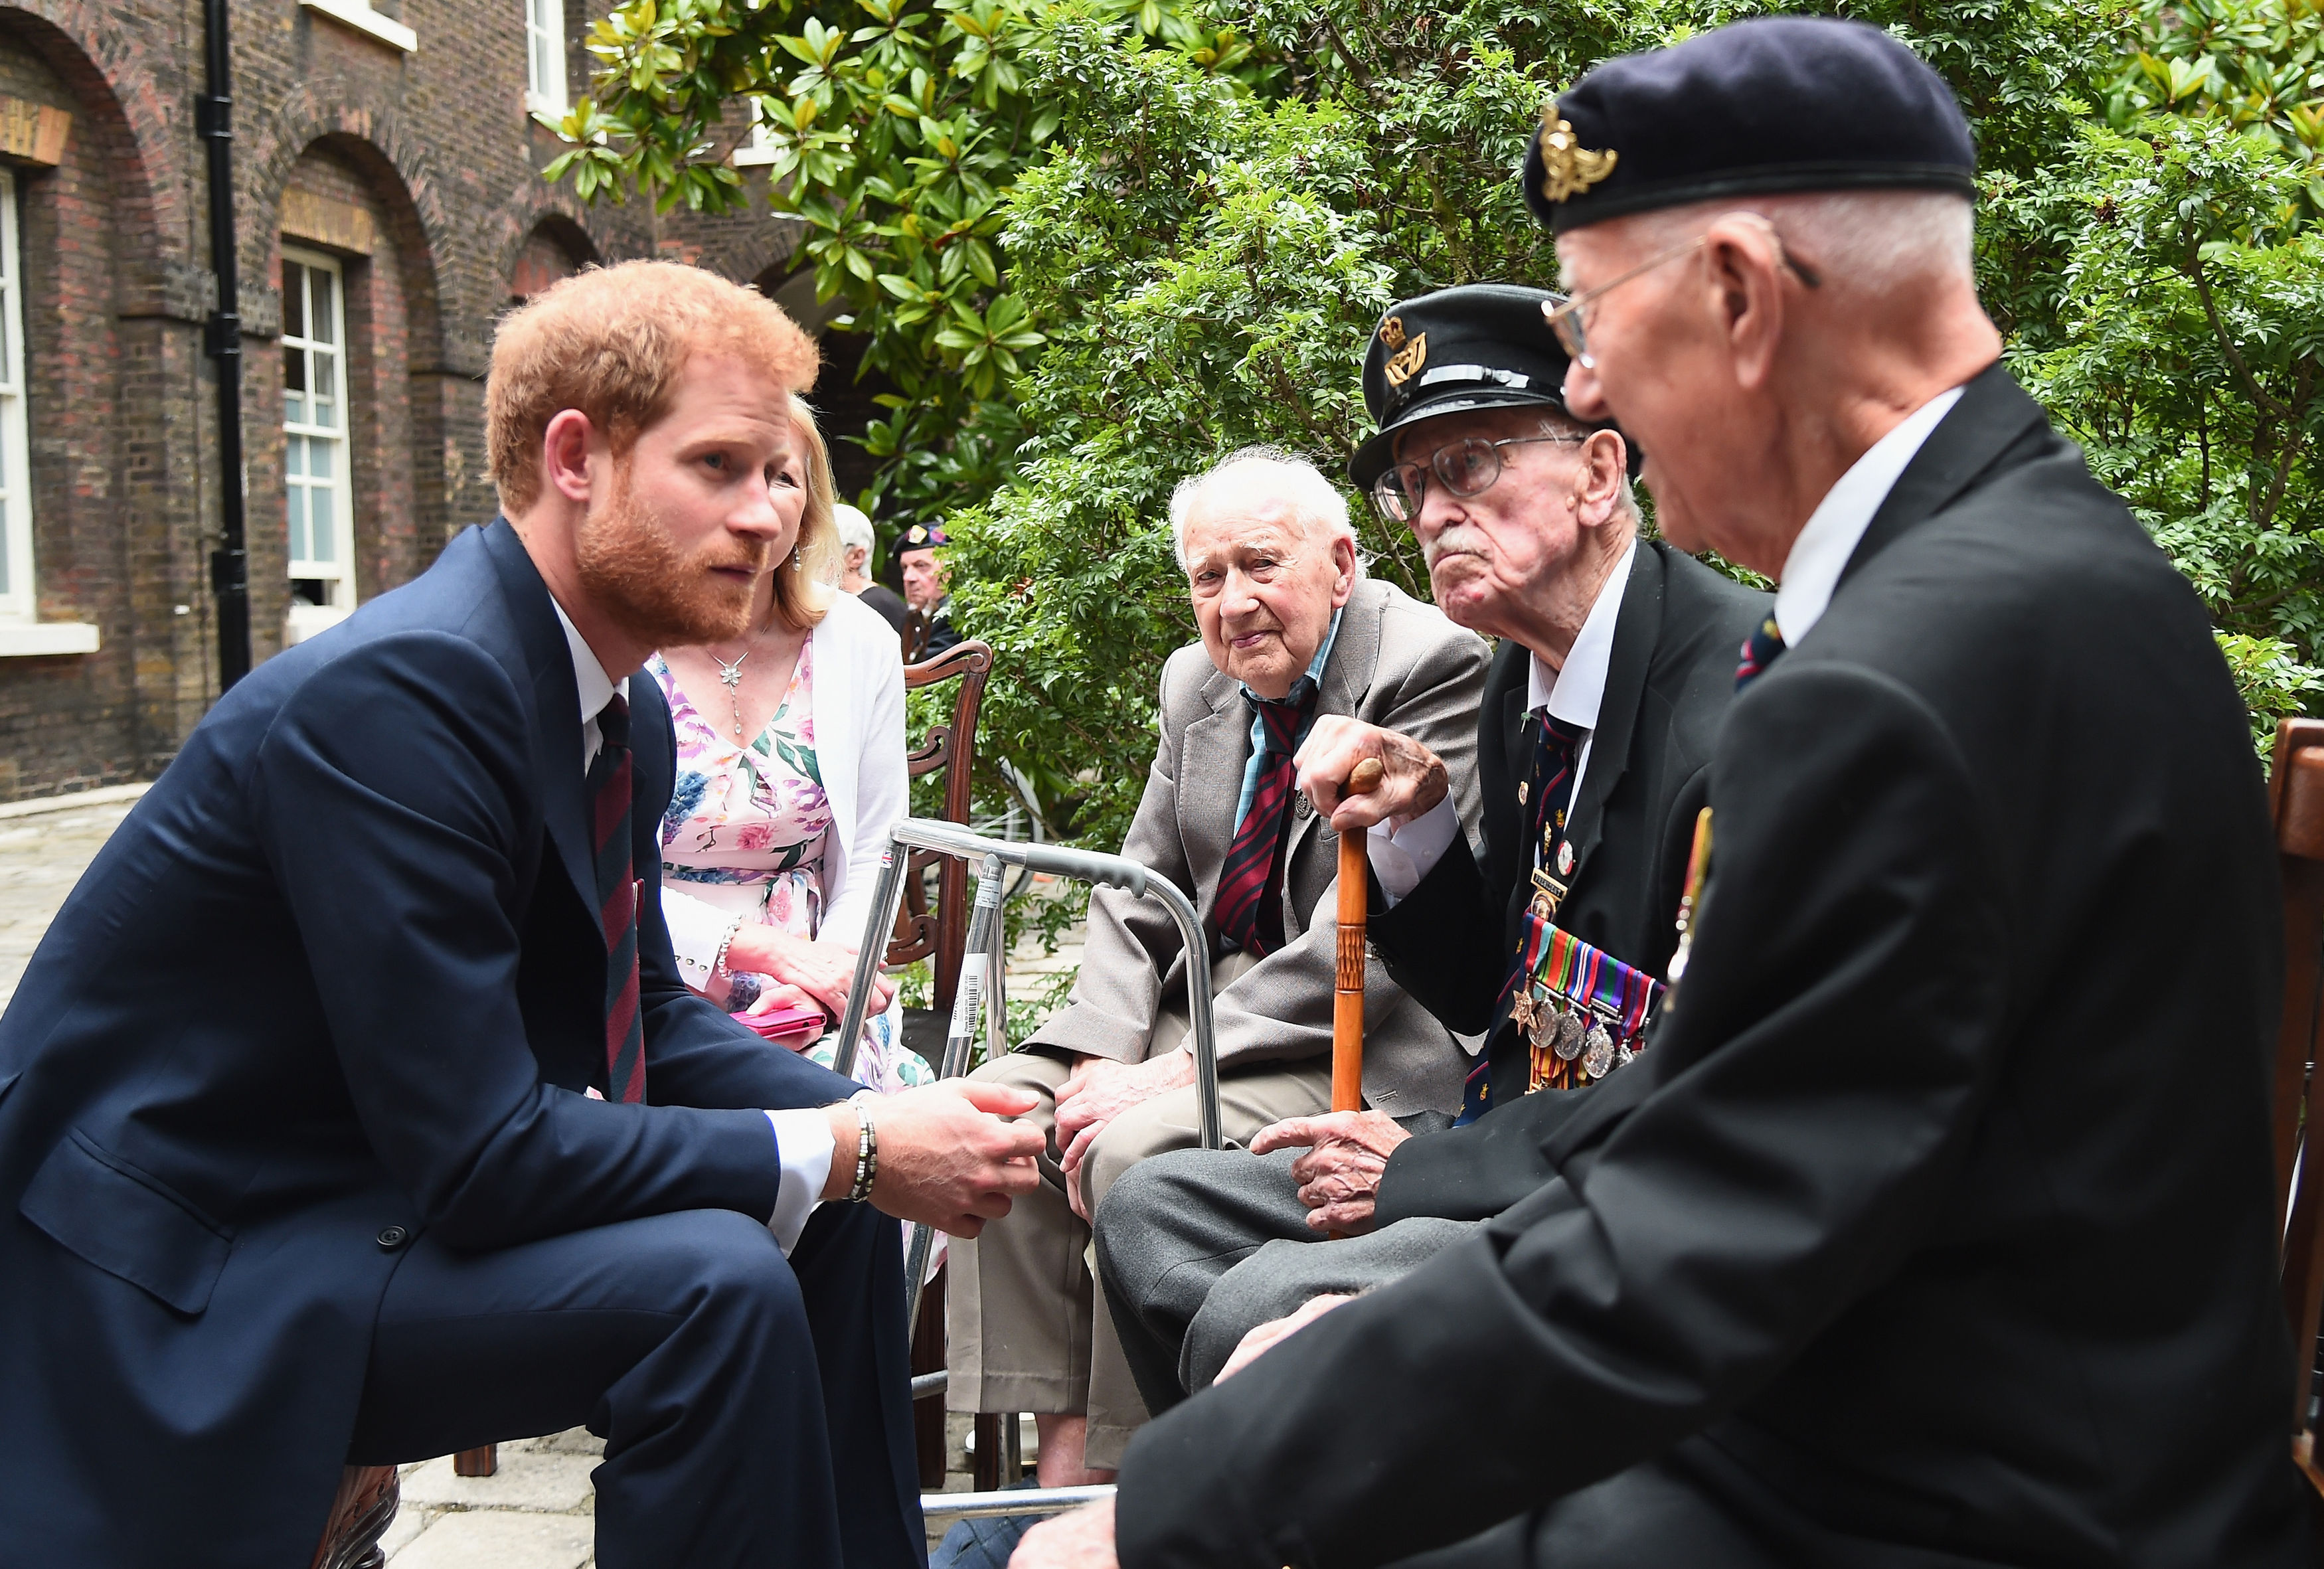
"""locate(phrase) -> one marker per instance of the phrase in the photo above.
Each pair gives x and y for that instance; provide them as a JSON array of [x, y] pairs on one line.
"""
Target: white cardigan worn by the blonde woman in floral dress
[[859, 703]]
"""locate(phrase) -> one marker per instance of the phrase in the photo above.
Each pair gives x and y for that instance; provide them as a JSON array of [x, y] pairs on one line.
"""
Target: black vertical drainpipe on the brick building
[[231, 564]]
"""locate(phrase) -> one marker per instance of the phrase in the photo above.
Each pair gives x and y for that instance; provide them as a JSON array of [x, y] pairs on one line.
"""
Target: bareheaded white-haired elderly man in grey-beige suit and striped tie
[[1291, 629]]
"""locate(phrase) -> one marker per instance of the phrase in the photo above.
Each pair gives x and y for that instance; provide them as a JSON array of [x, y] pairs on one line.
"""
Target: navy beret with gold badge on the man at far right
[[1781, 103]]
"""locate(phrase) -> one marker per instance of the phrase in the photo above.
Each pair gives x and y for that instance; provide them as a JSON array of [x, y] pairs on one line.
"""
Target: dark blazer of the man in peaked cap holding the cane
[[1670, 682]]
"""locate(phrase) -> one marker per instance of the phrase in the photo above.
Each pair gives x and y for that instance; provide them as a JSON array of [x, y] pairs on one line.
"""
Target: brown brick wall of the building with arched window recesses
[[436, 152]]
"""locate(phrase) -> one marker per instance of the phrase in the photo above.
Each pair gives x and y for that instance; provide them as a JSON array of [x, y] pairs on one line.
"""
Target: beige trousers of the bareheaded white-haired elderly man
[[1024, 1335]]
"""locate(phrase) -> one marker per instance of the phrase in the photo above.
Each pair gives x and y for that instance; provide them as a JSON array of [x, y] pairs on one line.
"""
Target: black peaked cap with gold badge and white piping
[[1472, 348]]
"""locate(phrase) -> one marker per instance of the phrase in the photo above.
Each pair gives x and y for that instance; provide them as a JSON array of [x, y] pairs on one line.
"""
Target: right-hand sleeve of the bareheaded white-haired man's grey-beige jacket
[[1291, 991]]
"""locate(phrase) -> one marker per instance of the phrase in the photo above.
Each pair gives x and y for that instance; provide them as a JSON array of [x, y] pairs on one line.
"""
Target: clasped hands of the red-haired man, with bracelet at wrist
[[945, 1154]]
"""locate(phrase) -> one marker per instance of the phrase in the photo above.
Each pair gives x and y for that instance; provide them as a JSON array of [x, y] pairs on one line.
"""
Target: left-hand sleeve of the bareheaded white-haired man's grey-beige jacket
[[1131, 940]]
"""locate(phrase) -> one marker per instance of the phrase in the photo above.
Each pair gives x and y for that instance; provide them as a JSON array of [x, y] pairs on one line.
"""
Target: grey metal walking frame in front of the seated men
[[982, 987]]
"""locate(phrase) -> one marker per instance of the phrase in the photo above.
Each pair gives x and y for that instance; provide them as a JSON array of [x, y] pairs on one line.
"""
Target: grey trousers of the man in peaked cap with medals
[[1200, 1247]]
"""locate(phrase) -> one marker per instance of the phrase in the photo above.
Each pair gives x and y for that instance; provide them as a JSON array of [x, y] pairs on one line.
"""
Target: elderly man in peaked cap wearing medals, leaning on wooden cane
[[1593, 747]]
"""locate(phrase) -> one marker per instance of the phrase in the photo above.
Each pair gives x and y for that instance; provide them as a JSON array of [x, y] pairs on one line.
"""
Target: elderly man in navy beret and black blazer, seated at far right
[[1937, 1224]]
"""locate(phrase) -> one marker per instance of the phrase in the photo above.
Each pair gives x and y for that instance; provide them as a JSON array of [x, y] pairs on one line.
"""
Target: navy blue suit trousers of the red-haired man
[[754, 1410]]
